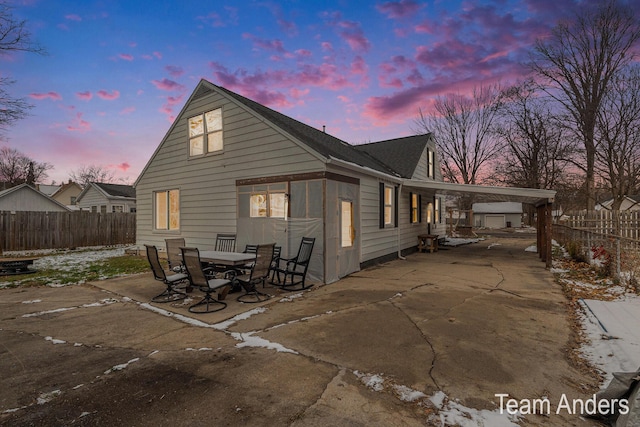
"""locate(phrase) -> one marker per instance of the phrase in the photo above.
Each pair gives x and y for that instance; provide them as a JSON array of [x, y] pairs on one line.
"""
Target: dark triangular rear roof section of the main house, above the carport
[[401, 154]]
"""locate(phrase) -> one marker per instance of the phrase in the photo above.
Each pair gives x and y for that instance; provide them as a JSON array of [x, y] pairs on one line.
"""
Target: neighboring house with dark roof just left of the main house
[[107, 198]]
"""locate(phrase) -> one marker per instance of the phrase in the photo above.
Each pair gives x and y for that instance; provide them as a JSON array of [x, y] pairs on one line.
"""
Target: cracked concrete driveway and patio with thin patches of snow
[[436, 338]]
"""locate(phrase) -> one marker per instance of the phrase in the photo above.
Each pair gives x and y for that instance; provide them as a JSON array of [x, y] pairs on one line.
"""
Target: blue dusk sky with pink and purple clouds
[[118, 72]]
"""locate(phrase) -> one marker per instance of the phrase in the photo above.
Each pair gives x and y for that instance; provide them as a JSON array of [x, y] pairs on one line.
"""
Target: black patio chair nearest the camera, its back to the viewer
[[205, 280]]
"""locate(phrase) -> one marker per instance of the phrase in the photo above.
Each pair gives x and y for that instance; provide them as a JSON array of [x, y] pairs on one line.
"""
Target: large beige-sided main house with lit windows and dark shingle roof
[[230, 165]]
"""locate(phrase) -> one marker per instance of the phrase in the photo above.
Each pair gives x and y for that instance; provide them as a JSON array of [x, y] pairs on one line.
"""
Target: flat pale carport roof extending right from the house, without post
[[486, 193]]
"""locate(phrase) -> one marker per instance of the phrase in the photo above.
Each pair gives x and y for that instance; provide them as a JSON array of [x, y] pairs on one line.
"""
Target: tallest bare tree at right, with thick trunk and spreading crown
[[579, 60]]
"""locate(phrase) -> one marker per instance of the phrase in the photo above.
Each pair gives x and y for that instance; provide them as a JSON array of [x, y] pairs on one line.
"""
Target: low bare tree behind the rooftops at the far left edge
[[17, 168]]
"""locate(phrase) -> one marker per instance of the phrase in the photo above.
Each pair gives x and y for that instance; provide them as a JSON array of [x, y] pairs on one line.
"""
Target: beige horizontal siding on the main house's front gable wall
[[252, 149]]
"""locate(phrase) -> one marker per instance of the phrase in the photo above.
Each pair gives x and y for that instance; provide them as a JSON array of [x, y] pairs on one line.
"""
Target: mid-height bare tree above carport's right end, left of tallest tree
[[536, 153]]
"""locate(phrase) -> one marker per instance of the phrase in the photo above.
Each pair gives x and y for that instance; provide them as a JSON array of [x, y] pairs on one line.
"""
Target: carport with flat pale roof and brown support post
[[541, 199]]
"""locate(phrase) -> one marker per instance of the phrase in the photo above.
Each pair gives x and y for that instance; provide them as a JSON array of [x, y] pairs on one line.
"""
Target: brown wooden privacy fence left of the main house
[[21, 231]]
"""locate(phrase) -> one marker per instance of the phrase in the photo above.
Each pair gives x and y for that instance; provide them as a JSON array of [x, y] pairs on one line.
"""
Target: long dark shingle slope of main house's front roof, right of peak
[[319, 141]]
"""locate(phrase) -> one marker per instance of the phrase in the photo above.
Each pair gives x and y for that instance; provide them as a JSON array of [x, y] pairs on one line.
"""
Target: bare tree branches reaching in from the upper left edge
[[14, 37]]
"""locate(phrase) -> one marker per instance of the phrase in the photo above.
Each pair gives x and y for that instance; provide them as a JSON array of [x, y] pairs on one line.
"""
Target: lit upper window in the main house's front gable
[[205, 133]]
